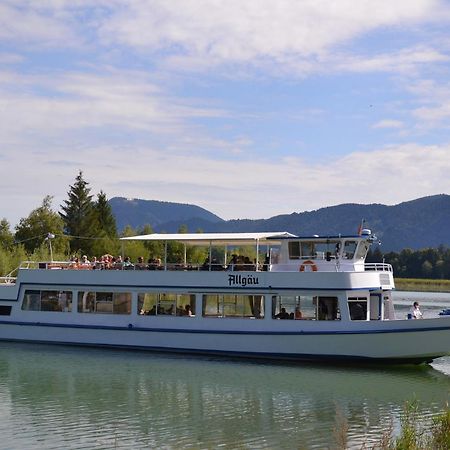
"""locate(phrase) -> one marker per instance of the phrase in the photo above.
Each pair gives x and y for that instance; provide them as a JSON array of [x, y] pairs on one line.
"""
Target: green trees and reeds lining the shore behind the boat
[[85, 225]]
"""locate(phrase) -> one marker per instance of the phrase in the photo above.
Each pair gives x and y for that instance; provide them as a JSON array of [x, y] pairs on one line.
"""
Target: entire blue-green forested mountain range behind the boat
[[416, 224]]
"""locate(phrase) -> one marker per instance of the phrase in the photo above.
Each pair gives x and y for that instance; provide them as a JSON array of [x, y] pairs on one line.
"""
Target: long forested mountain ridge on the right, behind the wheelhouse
[[416, 224]]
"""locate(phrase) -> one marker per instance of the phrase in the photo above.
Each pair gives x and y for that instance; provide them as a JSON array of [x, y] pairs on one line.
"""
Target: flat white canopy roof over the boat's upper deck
[[273, 237]]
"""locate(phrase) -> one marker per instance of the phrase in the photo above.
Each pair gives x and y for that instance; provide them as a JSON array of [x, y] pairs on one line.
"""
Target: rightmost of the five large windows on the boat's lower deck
[[305, 307]]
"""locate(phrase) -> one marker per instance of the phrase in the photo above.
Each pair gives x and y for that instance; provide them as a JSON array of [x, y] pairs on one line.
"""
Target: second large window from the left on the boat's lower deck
[[104, 302]]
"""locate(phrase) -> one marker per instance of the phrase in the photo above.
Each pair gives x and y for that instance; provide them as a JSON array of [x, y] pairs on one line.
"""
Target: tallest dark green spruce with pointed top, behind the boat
[[79, 216]]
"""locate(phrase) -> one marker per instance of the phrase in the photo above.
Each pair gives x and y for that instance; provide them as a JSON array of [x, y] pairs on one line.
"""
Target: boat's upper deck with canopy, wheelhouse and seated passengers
[[311, 262]]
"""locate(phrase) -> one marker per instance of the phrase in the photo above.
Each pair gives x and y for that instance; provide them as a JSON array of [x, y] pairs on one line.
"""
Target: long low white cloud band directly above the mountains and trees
[[229, 188]]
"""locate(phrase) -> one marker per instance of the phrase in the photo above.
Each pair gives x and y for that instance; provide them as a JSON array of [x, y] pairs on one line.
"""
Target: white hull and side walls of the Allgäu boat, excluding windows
[[358, 340]]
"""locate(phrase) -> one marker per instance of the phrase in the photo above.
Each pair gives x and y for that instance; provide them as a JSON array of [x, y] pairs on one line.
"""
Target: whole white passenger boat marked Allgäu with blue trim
[[307, 298]]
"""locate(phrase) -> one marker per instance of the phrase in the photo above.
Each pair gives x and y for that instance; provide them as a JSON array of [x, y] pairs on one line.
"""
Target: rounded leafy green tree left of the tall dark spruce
[[33, 231]]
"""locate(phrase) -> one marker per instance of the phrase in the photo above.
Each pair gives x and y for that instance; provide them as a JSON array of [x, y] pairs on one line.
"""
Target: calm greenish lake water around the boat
[[62, 397]]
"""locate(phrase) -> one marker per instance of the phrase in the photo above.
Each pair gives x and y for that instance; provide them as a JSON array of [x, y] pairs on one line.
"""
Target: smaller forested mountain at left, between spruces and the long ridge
[[162, 216]]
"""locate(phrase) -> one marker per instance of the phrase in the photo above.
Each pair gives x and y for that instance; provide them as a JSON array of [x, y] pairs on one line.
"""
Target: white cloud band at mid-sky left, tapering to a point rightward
[[73, 101]]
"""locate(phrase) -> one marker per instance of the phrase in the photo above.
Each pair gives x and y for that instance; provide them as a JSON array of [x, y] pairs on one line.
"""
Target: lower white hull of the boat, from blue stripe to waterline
[[394, 346]]
